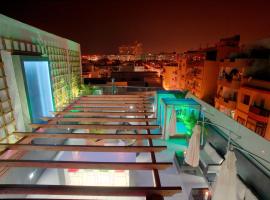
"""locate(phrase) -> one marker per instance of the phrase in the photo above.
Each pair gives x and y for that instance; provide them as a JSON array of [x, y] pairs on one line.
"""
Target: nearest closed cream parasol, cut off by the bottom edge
[[225, 186]]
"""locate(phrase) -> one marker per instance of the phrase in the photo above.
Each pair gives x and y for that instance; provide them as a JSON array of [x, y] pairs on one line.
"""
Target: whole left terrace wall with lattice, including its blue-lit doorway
[[29, 58]]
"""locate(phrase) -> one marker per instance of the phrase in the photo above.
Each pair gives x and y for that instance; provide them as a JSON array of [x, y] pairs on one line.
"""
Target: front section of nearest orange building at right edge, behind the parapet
[[253, 107]]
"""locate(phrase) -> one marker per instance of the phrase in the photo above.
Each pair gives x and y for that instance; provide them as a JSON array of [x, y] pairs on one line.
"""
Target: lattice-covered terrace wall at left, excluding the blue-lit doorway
[[64, 60]]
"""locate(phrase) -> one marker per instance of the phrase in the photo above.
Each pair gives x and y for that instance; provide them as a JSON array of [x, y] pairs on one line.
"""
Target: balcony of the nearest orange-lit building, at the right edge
[[259, 114]]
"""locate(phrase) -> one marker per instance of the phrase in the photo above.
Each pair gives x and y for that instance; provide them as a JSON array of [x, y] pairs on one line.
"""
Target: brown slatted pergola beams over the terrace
[[155, 192]]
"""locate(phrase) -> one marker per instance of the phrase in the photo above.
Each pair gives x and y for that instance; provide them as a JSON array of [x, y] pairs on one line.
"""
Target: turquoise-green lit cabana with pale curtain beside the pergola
[[178, 116]]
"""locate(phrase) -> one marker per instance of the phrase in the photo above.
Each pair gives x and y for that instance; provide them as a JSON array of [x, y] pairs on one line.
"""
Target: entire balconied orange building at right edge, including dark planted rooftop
[[243, 86]]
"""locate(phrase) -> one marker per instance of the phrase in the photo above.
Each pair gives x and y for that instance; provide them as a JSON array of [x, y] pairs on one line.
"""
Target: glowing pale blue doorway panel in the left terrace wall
[[38, 89]]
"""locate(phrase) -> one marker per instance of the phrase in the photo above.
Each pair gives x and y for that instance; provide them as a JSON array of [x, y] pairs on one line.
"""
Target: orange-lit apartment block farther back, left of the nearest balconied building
[[195, 71]]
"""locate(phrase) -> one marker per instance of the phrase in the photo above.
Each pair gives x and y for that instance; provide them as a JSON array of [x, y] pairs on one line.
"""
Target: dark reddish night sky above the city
[[100, 26]]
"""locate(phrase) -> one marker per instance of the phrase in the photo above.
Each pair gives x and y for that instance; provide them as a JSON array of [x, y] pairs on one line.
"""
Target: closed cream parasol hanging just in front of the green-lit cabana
[[192, 156]]
